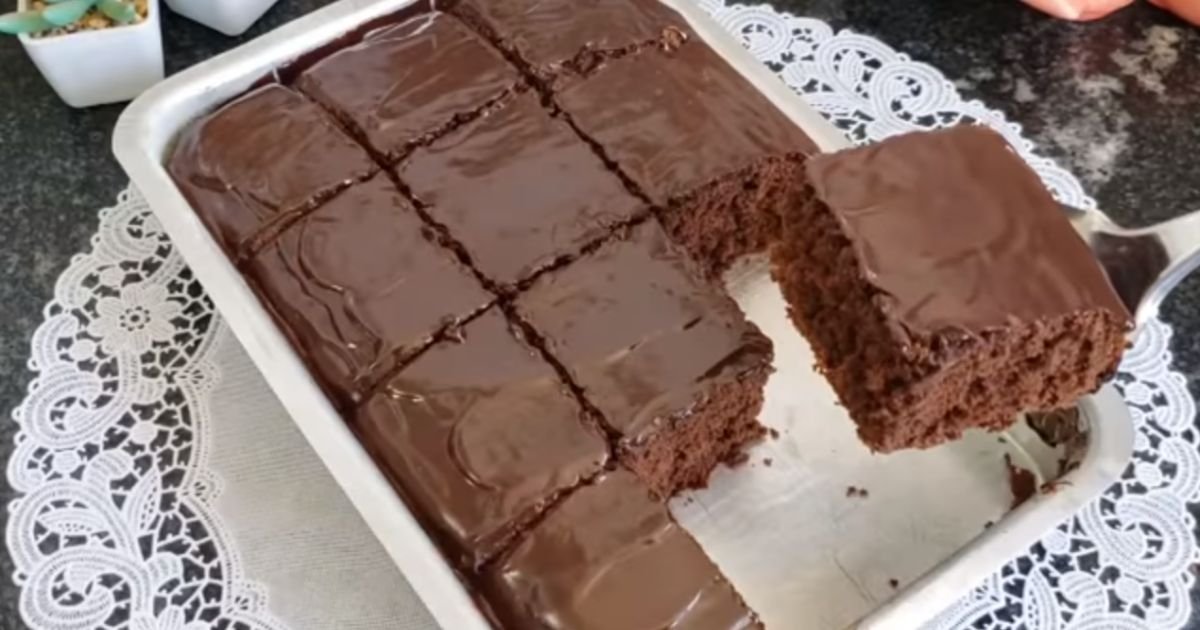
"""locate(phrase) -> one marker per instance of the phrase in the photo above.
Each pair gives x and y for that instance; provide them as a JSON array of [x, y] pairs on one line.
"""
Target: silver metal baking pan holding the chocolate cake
[[782, 526]]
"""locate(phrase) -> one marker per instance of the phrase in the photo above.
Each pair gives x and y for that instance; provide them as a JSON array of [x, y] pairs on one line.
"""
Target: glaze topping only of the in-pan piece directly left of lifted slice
[[677, 121]]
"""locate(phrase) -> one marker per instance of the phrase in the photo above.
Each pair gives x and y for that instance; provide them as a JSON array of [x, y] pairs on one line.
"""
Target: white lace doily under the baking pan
[[116, 523]]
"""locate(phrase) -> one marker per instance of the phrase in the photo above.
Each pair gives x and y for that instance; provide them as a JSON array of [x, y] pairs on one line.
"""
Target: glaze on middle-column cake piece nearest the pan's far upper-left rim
[[391, 88]]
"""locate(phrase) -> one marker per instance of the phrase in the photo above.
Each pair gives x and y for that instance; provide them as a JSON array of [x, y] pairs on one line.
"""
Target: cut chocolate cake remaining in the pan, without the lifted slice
[[458, 220]]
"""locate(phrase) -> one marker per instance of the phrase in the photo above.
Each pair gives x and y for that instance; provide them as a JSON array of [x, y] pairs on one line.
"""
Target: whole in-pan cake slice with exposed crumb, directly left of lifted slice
[[703, 143]]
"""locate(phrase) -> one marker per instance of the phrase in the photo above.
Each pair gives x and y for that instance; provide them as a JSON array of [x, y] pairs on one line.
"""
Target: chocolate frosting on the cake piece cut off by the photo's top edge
[[548, 33]]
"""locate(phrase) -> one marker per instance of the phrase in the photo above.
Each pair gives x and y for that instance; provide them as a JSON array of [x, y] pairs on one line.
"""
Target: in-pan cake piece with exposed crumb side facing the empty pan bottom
[[671, 364]]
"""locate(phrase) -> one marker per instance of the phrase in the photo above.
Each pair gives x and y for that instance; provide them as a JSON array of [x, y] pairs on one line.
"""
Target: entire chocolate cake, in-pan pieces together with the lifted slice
[[494, 236]]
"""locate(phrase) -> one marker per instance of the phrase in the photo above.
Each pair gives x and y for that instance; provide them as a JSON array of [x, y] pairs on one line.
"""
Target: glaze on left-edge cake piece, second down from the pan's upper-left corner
[[359, 283]]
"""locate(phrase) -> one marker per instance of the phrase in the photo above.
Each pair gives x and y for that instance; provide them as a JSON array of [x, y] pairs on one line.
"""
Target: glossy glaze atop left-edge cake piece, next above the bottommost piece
[[479, 434]]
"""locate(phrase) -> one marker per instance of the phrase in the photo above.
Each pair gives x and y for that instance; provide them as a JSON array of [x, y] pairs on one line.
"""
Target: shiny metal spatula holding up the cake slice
[[1144, 265]]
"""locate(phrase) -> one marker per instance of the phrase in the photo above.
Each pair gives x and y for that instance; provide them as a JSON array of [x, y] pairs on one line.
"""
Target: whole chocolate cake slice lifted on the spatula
[[943, 289]]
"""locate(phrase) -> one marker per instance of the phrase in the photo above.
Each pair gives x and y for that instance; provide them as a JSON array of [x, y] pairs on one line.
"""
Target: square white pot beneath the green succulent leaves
[[101, 67]]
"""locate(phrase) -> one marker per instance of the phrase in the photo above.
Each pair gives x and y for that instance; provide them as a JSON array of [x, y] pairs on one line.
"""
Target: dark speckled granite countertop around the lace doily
[[1118, 103]]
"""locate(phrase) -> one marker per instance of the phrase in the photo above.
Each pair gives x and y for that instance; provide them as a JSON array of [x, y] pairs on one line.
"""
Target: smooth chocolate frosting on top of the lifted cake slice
[[959, 235]]
